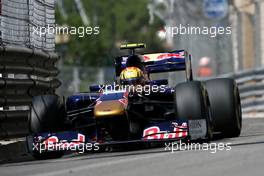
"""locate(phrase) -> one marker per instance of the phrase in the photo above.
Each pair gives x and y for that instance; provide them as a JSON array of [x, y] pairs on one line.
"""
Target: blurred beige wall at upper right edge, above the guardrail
[[249, 36]]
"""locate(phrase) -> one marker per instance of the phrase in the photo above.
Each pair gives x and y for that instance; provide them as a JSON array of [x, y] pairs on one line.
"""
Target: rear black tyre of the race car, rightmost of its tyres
[[225, 106]]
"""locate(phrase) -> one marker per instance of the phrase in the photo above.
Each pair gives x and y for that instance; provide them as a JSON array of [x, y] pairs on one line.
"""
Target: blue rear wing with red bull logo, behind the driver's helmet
[[178, 60]]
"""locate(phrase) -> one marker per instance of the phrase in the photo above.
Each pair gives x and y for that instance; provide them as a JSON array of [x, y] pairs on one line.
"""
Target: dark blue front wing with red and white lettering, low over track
[[77, 141]]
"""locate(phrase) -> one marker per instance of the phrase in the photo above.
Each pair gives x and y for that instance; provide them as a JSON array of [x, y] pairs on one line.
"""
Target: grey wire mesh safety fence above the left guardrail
[[21, 22]]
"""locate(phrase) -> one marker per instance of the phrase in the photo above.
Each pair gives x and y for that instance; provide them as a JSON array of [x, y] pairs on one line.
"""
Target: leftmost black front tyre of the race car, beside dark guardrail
[[46, 115]]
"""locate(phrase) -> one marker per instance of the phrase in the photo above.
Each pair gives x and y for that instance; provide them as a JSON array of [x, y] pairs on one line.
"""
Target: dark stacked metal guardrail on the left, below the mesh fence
[[24, 73]]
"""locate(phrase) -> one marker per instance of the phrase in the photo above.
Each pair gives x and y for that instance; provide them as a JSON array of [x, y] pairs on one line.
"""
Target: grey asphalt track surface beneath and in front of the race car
[[246, 158]]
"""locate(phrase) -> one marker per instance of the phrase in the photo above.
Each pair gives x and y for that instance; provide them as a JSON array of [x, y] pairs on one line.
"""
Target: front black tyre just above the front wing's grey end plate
[[192, 103]]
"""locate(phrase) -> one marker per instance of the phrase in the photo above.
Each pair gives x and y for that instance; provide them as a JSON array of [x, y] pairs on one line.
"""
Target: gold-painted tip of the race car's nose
[[108, 109]]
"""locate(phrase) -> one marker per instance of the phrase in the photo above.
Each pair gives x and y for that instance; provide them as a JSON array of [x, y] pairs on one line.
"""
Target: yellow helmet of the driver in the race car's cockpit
[[132, 76]]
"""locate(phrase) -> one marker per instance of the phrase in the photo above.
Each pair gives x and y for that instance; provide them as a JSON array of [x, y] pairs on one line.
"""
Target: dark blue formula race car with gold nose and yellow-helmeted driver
[[137, 109]]
